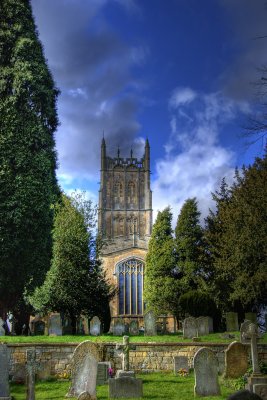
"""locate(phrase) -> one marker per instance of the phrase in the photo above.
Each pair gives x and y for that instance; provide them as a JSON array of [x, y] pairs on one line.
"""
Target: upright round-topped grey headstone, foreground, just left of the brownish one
[[206, 373]]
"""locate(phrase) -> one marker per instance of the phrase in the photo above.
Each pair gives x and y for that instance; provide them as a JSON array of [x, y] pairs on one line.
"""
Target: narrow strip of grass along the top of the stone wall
[[169, 338]]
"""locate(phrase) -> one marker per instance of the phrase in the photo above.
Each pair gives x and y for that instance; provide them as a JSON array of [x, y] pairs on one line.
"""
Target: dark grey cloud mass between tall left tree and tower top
[[91, 67]]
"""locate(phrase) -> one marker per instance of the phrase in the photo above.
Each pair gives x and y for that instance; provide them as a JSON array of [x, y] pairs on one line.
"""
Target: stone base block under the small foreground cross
[[125, 387]]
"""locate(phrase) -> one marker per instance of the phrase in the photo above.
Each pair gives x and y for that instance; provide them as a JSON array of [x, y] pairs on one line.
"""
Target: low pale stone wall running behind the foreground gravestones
[[55, 359]]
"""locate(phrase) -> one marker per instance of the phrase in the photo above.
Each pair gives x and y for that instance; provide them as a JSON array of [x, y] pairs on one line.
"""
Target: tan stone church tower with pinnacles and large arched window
[[125, 222]]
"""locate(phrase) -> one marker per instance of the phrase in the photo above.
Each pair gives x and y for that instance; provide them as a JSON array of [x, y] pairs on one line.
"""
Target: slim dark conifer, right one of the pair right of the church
[[189, 245]]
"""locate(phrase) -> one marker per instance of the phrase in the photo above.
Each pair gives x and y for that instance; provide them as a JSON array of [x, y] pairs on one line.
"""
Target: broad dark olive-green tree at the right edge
[[236, 234]]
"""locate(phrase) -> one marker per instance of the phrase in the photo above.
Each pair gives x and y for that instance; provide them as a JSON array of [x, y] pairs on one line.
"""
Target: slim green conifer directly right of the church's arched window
[[161, 286]]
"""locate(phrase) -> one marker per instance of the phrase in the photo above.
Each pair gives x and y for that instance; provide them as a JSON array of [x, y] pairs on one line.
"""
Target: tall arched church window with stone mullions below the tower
[[131, 277]]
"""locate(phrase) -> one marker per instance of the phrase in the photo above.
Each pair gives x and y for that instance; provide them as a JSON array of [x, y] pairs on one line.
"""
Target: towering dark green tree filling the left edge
[[27, 155]]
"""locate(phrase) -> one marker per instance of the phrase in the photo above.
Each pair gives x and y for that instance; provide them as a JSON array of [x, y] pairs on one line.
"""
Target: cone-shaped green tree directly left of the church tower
[[75, 284]]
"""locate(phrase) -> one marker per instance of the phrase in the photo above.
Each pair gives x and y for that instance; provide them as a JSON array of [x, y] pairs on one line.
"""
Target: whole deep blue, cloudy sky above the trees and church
[[181, 73]]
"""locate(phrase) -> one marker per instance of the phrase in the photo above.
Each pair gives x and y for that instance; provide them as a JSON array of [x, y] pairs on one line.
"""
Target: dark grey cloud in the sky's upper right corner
[[248, 23]]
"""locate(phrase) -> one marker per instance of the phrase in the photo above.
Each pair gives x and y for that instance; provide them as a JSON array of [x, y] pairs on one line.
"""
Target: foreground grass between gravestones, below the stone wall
[[156, 386]]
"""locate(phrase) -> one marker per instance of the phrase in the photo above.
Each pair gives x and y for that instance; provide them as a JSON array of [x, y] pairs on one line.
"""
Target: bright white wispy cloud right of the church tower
[[194, 161]]
